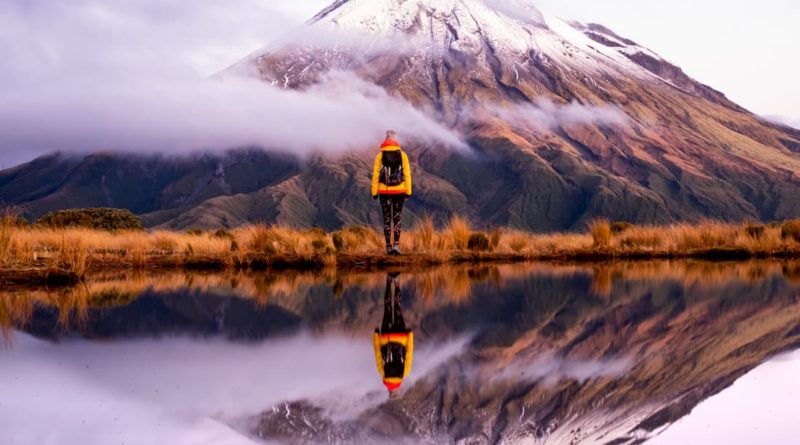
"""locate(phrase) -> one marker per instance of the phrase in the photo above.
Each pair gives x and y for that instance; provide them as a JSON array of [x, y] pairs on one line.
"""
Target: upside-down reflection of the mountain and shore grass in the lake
[[607, 354]]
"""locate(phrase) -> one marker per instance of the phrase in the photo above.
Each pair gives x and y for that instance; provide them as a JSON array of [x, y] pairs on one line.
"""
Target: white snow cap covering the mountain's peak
[[513, 30]]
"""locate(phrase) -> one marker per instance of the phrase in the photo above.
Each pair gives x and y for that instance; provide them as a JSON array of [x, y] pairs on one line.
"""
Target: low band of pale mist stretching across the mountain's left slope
[[340, 113]]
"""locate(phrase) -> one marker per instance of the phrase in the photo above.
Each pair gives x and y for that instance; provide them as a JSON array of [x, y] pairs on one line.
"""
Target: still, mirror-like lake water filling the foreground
[[675, 352]]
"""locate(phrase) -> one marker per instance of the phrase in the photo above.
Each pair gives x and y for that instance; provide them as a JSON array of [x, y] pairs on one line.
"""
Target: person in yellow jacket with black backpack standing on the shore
[[391, 184]]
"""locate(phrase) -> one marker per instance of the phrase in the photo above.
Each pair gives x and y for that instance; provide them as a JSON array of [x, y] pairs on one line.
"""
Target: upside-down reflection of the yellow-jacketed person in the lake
[[393, 341]]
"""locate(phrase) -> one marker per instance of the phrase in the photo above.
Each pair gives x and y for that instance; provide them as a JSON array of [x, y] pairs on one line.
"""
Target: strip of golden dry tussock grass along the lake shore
[[40, 254]]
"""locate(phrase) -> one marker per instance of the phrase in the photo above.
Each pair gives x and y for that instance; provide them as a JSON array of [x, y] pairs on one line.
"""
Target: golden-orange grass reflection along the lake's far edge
[[434, 287]]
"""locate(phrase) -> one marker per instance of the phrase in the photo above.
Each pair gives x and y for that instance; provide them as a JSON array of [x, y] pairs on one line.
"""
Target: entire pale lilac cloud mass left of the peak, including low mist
[[135, 76]]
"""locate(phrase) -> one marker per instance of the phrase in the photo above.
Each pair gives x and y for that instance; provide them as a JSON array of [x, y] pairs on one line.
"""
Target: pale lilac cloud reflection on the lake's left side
[[175, 391]]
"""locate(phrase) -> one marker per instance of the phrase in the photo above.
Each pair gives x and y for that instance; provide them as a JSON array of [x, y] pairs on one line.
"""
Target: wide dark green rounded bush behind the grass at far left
[[99, 218]]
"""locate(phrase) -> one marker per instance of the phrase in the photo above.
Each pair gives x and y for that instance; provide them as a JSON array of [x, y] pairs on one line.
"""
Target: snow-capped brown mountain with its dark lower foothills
[[565, 122]]
